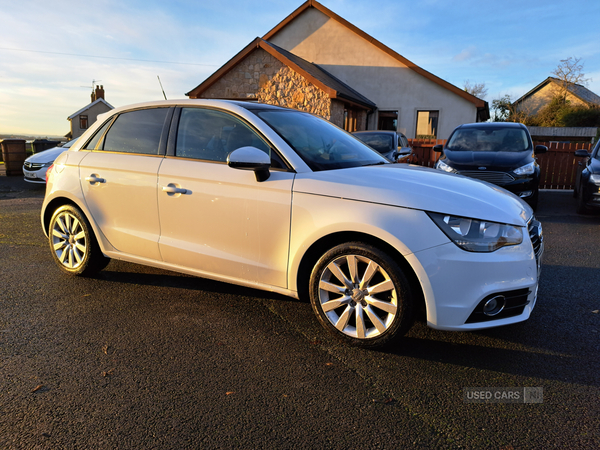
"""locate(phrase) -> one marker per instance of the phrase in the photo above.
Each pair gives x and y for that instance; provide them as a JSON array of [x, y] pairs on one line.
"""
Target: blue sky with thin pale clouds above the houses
[[52, 52]]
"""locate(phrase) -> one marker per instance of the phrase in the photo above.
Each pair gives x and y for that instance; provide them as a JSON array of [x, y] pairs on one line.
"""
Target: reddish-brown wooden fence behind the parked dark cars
[[558, 166]]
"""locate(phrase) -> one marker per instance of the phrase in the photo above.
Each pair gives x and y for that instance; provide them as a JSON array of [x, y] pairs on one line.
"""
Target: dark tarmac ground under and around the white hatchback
[[143, 358]]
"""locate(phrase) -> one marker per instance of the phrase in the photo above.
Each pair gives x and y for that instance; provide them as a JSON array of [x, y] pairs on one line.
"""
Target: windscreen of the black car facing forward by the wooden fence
[[488, 139]]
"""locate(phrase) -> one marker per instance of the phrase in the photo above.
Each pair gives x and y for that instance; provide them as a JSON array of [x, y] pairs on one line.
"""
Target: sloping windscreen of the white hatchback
[[321, 145]]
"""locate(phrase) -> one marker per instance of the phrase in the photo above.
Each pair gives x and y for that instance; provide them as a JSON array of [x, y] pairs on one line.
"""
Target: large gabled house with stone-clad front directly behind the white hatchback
[[316, 61]]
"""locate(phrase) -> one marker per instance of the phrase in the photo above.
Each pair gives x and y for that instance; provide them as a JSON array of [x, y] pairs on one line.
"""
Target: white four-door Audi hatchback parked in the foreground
[[280, 200]]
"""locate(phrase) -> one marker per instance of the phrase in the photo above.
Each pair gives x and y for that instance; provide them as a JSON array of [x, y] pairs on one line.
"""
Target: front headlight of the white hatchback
[[477, 235]]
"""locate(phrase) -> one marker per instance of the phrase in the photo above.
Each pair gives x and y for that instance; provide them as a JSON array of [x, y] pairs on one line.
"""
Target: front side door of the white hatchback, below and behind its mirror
[[216, 219]]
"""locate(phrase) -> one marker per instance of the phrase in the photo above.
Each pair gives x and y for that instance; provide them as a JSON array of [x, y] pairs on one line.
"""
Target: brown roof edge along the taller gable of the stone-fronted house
[[482, 105]]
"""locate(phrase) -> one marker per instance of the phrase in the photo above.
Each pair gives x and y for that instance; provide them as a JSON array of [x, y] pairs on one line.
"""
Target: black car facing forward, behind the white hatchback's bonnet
[[501, 153]]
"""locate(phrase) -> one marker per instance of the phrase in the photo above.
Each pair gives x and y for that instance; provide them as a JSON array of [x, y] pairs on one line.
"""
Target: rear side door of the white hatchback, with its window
[[118, 180]]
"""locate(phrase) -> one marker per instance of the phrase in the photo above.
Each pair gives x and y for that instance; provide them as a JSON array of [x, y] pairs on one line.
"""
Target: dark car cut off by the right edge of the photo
[[587, 183]]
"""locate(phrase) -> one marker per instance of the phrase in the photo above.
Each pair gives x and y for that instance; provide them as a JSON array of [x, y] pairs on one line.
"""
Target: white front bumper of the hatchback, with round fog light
[[457, 283]]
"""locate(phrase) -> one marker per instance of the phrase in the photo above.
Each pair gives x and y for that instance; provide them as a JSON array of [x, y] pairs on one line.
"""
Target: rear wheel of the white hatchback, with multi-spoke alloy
[[73, 244]]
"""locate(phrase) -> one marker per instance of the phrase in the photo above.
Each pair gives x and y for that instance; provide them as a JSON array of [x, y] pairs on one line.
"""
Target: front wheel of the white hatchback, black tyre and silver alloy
[[360, 295]]
